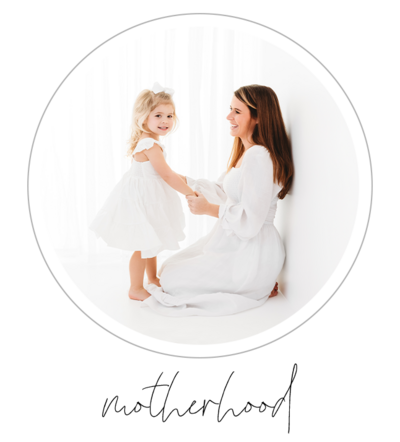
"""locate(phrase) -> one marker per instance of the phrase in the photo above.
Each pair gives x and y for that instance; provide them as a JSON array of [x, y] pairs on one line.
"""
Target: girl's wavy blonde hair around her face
[[145, 102]]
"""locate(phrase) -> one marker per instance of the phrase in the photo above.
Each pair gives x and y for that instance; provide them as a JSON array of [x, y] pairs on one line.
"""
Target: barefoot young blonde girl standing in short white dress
[[143, 213]]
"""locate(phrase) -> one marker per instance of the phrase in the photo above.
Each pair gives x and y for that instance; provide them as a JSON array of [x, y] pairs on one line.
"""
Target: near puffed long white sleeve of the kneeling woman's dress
[[245, 218]]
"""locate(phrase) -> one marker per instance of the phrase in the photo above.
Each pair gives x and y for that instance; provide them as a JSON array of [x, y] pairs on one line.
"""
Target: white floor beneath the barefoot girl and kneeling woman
[[106, 285]]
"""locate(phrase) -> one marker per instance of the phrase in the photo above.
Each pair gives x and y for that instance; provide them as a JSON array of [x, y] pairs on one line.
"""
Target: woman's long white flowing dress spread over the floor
[[234, 267]]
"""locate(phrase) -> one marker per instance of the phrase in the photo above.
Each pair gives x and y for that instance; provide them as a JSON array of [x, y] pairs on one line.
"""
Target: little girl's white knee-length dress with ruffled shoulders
[[142, 212]]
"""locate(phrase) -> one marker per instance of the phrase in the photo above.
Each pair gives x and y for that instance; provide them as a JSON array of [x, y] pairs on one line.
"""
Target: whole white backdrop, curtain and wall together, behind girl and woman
[[83, 140]]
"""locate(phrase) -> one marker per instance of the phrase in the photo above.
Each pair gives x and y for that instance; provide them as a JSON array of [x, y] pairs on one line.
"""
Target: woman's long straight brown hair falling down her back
[[270, 132]]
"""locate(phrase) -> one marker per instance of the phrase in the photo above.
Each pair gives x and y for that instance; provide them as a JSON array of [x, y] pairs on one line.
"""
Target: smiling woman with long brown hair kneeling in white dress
[[235, 266]]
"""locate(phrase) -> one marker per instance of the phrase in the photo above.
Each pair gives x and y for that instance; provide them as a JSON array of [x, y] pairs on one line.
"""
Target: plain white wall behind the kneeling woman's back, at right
[[316, 218]]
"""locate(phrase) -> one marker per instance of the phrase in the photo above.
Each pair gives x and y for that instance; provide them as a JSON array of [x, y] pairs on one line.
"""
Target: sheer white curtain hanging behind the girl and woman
[[86, 127]]
